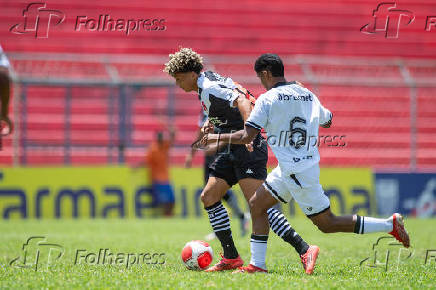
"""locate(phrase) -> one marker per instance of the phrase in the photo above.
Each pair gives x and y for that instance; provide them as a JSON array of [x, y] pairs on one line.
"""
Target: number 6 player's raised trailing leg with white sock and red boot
[[327, 222]]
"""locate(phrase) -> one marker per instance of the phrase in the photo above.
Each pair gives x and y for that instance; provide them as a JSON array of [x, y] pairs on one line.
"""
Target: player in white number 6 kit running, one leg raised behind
[[291, 115]]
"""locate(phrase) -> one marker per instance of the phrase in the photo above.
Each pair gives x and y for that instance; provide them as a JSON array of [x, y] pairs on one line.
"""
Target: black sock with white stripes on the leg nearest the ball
[[219, 219]]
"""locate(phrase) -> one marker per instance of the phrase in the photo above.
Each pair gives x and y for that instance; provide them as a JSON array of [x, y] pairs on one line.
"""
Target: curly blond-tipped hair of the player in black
[[184, 60]]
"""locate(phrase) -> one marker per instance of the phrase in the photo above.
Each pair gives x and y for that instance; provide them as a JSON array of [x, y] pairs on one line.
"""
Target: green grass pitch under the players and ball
[[337, 267]]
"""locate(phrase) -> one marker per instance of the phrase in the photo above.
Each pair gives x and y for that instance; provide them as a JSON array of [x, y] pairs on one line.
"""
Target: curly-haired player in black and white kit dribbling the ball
[[227, 106]]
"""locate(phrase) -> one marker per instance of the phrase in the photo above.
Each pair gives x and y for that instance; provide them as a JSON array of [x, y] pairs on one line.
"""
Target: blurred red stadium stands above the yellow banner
[[91, 97]]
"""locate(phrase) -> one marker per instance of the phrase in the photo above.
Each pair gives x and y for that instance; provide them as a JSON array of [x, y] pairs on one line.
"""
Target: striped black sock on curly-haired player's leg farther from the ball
[[283, 229]]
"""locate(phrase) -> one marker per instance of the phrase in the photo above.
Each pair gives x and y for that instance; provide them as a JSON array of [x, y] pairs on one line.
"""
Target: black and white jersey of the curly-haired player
[[217, 95]]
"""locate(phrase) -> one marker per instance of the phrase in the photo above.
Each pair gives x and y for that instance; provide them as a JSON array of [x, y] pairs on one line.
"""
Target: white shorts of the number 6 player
[[304, 187]]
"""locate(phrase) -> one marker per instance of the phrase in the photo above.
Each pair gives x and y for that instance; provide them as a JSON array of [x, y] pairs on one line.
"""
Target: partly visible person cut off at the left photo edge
[[4, 90]]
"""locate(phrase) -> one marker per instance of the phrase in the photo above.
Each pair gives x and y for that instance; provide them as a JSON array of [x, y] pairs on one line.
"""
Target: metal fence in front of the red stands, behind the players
[[100, 109]]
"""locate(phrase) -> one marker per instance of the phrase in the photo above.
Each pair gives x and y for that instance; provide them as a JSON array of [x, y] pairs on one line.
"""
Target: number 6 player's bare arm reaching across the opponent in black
[[245, 136]]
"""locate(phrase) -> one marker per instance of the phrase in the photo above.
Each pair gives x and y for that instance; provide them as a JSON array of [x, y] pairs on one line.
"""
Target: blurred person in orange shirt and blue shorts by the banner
[[157, 158]]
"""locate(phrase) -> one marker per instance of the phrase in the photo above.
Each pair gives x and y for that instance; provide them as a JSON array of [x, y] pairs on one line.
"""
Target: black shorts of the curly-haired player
[[238, 163]]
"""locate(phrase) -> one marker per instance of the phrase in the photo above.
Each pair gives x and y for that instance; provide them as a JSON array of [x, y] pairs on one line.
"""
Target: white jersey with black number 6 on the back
[[291, 116]]
